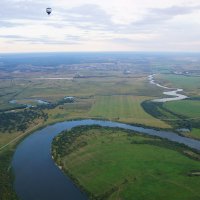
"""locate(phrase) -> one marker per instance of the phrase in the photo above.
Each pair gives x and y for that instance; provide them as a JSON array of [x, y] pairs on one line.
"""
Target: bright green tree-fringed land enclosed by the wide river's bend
[[112, 164]]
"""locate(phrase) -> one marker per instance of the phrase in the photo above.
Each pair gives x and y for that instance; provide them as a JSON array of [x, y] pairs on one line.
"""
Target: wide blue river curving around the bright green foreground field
[[38, 178]]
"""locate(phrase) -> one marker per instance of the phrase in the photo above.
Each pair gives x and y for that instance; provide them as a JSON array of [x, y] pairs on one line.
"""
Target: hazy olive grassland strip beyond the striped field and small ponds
[[53, 90]]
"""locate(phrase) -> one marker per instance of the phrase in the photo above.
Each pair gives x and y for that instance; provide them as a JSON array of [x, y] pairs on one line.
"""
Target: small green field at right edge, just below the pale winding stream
[[188, 108]]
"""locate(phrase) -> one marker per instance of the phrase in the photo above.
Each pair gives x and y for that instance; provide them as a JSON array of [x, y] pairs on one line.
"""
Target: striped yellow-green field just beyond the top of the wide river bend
[[124, 108]]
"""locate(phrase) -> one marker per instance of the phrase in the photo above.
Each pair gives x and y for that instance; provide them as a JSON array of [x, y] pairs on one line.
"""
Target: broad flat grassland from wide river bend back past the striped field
[[113, 98]]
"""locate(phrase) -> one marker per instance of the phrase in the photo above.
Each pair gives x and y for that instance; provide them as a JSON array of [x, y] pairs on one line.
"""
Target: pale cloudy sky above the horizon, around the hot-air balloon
[[99, 25]]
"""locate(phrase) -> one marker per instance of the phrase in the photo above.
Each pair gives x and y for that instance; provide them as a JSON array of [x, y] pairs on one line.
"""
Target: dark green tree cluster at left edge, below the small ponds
[[19, 121]]
